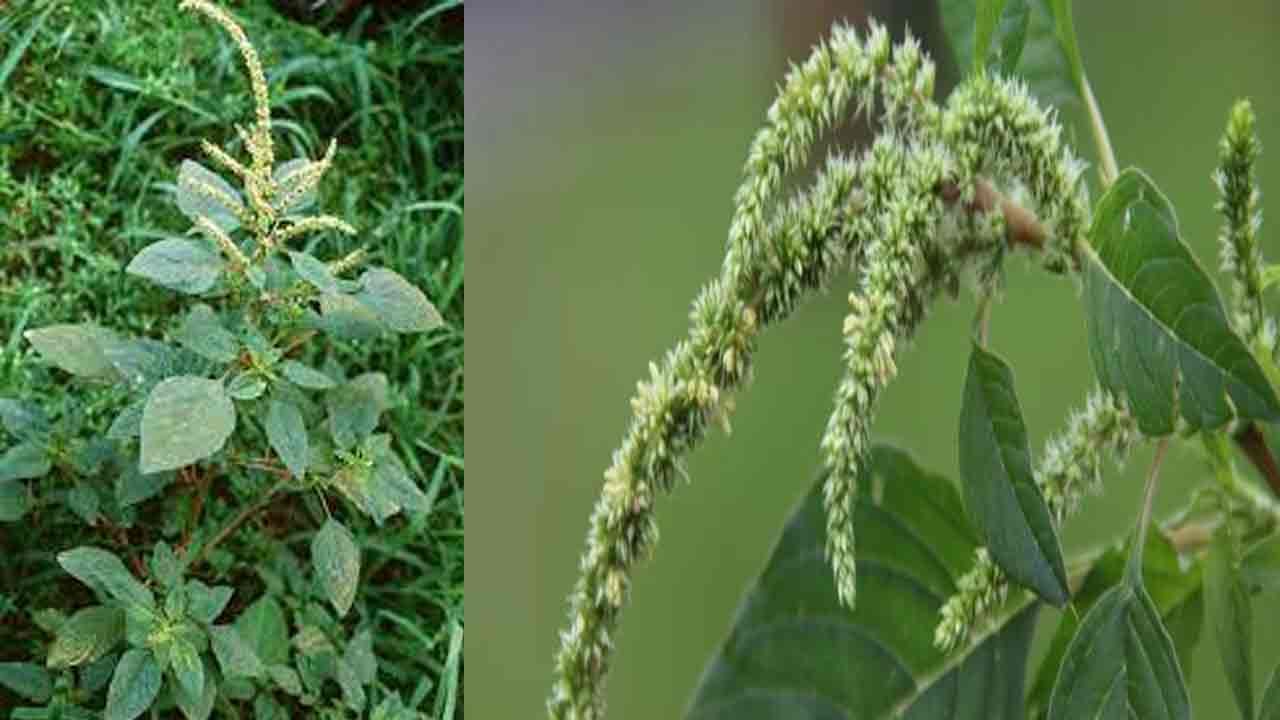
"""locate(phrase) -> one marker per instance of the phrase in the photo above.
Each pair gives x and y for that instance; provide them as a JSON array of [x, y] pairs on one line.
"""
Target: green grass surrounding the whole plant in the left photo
[[99, 103]]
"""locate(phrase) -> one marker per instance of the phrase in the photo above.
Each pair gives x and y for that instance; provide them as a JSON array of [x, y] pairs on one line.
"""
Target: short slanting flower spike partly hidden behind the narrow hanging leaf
[[1072, 468]]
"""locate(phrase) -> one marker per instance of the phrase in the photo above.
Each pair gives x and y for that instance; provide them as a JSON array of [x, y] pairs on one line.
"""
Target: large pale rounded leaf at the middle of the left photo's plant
[[186, 420]]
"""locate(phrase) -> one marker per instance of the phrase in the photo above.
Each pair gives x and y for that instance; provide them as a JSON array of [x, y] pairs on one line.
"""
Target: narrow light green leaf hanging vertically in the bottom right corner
[[1228, 609]]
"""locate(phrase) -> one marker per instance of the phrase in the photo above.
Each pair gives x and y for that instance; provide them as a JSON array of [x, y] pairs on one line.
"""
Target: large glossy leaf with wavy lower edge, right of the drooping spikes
[[1156, 322]]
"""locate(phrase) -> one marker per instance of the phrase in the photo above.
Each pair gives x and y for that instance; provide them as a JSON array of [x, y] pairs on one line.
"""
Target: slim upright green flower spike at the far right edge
[[1242, 218]]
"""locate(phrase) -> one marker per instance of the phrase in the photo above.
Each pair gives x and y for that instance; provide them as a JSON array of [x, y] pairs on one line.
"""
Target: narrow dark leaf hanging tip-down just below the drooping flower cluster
[[999, 484]]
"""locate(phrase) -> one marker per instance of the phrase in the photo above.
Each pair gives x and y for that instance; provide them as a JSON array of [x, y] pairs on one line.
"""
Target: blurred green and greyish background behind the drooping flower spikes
[[606, 147]]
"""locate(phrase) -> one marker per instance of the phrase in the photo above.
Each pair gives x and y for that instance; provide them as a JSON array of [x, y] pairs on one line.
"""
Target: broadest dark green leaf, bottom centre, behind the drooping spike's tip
[[794, 651]]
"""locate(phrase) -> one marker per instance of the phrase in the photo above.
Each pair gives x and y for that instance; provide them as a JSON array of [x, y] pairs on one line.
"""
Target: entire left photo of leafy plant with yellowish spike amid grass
[[232, 470]]
